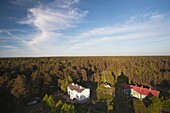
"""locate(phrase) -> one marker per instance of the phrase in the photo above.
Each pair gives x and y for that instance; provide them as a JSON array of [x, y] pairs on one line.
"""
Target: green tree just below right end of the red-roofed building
[[156, 105]]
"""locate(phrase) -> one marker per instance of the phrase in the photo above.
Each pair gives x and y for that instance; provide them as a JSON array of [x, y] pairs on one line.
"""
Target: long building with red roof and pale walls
[[138, 92]]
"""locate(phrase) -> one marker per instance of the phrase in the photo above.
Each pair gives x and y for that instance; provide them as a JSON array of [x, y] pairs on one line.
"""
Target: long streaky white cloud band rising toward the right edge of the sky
[[132, 29]]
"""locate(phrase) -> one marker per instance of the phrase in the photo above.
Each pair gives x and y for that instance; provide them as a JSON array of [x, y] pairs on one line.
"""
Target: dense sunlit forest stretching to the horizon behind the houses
[[22, 79]]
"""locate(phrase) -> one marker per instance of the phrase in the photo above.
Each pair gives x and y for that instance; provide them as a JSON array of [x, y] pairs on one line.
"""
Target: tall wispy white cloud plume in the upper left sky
[[50, 19]]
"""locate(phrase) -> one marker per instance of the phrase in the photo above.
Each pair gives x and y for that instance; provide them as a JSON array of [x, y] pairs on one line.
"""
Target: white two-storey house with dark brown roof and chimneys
[[78, 92]]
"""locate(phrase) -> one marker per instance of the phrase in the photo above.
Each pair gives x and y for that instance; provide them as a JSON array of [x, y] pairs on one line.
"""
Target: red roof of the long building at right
[[141, 90]]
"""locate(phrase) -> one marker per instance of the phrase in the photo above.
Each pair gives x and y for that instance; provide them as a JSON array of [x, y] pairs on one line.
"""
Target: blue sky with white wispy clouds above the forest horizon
[[35, 28]]
